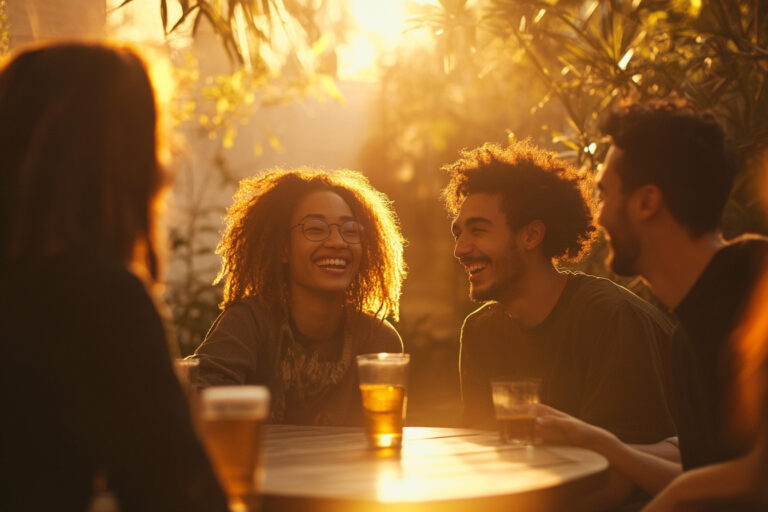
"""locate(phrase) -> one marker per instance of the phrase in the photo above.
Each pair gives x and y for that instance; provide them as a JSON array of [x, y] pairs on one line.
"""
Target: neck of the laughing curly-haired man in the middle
[[535, 294]]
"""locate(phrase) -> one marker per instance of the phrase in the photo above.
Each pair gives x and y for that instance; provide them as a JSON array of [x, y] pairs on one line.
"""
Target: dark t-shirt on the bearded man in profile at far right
[[702, 364]]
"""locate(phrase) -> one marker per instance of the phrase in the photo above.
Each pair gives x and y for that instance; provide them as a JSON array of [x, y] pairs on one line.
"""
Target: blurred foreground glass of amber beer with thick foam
[[231, 418]]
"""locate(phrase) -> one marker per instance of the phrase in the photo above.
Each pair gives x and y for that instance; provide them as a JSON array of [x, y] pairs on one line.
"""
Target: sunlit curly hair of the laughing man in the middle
[[534, 185]]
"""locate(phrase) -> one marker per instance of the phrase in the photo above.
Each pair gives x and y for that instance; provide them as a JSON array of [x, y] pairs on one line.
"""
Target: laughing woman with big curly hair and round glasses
[[312, 264]]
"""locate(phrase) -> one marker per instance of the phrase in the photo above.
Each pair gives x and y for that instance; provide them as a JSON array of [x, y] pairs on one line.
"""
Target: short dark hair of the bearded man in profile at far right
[[685, 153]]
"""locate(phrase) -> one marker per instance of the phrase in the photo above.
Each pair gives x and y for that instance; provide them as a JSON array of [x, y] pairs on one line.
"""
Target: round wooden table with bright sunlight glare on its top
[[441, 469]]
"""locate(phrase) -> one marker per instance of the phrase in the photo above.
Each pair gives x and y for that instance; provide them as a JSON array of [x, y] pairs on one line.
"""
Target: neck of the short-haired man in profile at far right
[[675, 263]]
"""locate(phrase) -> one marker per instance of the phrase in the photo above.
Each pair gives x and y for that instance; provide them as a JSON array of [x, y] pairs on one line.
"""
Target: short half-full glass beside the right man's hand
[[515, 403]]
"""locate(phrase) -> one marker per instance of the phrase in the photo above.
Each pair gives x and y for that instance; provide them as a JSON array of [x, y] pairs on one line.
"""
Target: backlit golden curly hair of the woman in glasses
[[257, 232]]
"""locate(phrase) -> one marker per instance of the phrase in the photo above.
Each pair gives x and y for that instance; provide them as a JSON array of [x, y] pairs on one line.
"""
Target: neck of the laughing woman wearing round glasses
[[316, 315]]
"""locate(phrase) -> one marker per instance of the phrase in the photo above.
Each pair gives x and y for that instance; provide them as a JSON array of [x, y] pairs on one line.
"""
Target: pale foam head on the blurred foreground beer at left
[[235, 402]]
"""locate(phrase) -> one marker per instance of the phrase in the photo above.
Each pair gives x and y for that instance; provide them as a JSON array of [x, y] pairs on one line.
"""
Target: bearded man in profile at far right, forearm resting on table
[[663, 188]]
